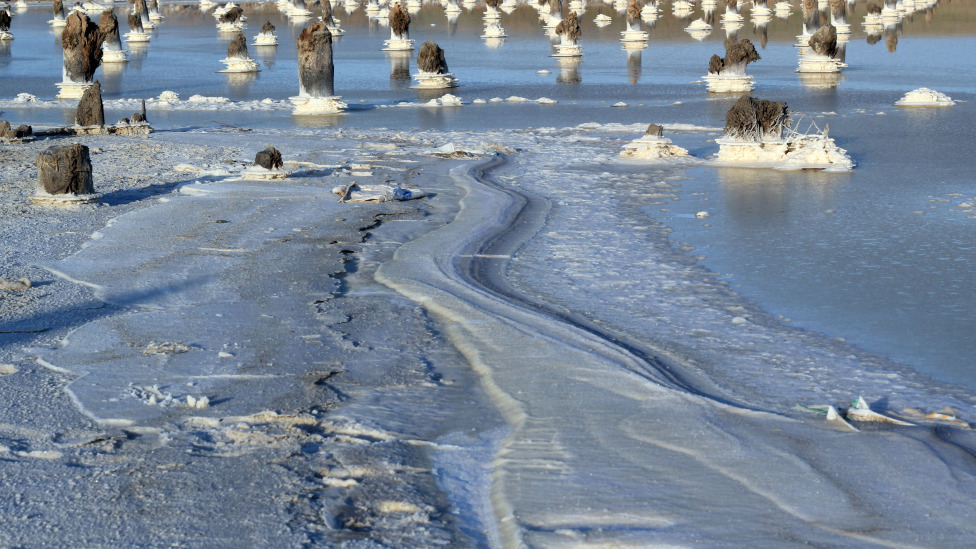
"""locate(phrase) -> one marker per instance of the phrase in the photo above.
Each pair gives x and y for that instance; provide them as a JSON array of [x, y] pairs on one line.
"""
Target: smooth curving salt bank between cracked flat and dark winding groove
[[600, 454]]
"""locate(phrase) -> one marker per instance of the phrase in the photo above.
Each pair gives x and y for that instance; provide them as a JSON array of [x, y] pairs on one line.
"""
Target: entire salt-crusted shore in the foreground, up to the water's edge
[[521, 358]]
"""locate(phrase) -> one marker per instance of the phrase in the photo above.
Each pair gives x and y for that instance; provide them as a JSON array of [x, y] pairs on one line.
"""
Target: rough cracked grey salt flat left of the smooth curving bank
[[256, 295]]
